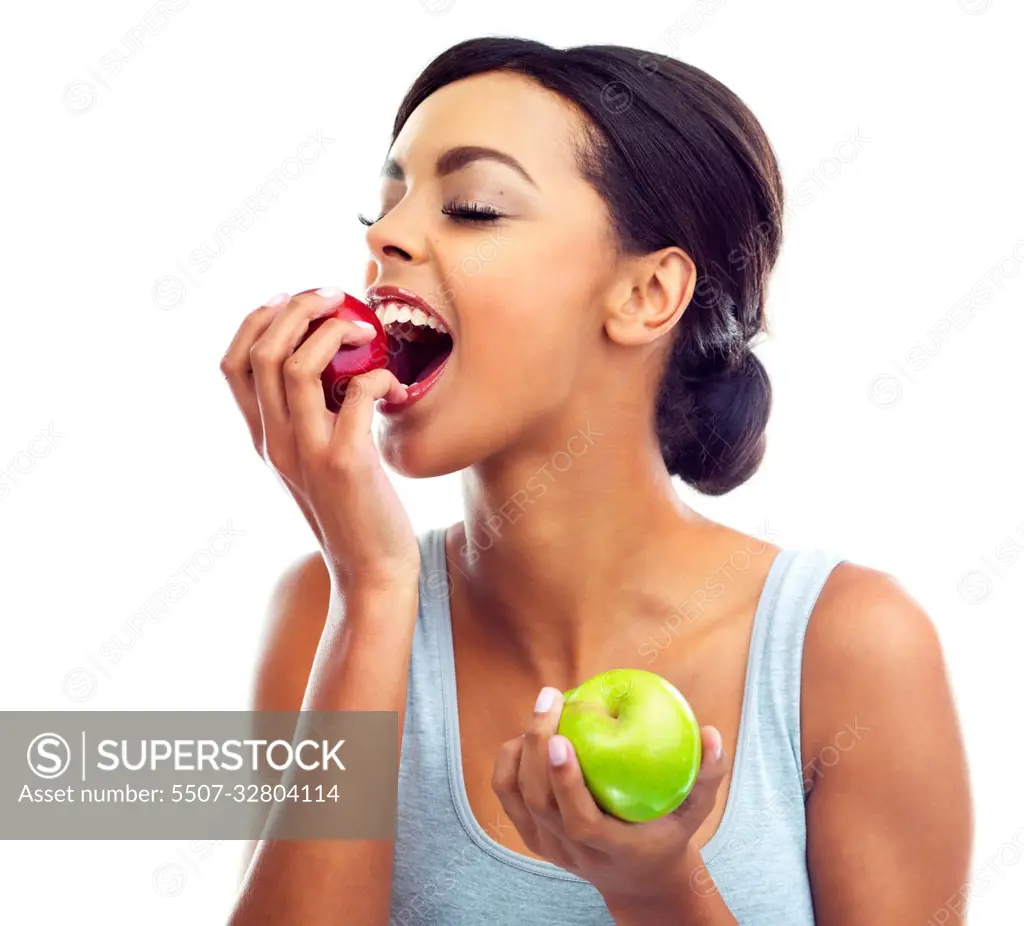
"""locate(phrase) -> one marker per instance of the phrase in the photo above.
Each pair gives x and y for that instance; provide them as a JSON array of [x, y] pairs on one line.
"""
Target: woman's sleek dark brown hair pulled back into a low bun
[[679, 160]]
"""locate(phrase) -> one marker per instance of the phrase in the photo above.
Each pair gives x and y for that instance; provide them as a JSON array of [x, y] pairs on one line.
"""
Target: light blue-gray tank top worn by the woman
[[452, 870]]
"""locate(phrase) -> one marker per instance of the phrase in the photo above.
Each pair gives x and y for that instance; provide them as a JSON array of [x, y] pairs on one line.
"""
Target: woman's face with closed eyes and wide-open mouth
[[521, 294]]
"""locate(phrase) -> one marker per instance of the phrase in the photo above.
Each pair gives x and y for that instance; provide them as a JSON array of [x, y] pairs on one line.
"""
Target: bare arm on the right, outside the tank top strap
[[889, 817]]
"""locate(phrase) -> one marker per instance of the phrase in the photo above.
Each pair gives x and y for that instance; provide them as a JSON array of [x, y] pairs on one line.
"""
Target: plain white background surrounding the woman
[[895, 437]]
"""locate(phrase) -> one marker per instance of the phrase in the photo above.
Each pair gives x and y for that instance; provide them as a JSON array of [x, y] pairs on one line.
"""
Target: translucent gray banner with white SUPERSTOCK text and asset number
[[198, 775]]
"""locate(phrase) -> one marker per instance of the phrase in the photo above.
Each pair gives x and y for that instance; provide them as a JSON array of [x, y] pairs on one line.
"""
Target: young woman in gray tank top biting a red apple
[[594, 229]]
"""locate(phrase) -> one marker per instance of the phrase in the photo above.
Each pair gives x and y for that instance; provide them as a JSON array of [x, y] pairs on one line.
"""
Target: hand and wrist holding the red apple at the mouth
[[328, 462]]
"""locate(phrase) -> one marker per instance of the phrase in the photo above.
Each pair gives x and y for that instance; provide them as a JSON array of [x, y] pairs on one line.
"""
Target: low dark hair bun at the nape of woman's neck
[[720, 440]]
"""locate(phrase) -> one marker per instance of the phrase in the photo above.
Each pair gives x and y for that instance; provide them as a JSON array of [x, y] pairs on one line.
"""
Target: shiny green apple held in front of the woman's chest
[[637, 740]]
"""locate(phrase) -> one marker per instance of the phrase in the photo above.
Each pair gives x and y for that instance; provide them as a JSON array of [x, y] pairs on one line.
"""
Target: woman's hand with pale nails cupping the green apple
[[558, 818]]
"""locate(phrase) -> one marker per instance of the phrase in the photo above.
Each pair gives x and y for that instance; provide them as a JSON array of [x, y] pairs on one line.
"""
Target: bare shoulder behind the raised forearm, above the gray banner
[[293, 624]]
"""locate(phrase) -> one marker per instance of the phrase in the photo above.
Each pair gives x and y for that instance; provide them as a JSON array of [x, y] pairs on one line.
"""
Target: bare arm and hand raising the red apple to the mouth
[[331, 467]]
